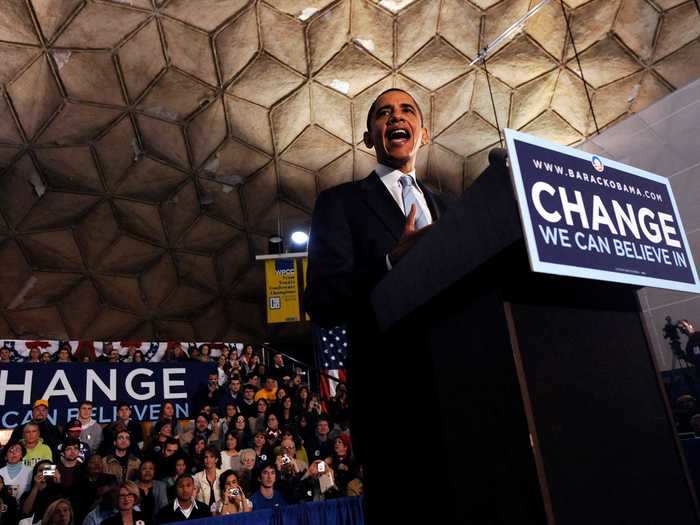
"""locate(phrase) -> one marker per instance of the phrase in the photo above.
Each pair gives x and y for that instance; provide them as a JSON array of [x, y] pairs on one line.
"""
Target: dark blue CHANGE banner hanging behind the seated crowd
[[64, 385]]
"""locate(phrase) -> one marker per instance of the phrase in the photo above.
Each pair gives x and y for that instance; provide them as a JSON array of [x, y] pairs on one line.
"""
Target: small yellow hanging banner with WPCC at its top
[[284, 280]]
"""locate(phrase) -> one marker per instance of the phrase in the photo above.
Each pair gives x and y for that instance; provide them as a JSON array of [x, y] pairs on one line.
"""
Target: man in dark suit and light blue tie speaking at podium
[[359, 231]]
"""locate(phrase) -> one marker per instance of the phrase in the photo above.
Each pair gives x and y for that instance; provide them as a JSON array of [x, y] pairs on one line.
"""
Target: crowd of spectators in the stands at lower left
[[260, 439]]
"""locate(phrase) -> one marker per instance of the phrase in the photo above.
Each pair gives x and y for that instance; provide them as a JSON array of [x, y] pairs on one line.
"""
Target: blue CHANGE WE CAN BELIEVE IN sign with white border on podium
[[587, 216]]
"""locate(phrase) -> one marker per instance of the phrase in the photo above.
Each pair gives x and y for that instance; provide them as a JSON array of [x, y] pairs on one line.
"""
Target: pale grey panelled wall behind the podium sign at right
[[664, 139]]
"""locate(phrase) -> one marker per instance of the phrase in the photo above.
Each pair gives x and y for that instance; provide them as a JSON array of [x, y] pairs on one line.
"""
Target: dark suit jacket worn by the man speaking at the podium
[[354, 226]]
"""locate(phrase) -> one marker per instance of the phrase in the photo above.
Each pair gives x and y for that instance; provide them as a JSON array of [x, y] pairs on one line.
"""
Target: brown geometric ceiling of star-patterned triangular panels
[[149, 147]]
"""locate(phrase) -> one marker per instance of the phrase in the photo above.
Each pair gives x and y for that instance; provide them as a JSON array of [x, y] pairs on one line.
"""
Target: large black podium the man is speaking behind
[[542, 396]]
